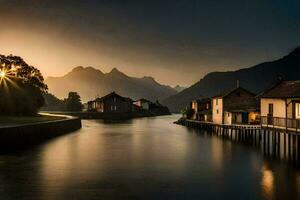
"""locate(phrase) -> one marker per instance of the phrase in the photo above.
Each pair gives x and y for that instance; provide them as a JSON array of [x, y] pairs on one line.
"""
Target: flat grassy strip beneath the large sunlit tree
[[17, 120]]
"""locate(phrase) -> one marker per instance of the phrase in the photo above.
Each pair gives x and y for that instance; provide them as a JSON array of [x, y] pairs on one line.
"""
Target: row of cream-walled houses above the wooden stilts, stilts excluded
[[278, 107]]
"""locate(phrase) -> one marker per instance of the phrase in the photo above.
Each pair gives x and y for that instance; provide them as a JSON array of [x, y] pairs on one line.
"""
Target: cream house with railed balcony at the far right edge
[[280, 105]]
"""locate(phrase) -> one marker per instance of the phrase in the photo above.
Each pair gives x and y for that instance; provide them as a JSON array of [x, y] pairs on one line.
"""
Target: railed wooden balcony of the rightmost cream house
[[281, 123]]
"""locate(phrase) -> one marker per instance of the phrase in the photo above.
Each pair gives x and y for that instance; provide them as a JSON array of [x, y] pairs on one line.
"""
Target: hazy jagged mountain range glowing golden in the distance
[[90, 82]]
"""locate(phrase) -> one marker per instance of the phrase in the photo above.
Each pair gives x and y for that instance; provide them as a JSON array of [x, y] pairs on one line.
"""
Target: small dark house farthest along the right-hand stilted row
[[202, 109]]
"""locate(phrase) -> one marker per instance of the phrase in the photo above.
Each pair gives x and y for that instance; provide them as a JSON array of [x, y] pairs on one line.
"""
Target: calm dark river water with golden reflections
[[148, 158]]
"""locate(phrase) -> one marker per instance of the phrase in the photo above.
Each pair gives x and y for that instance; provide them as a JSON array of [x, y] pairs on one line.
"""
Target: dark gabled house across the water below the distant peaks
[[111, 103]]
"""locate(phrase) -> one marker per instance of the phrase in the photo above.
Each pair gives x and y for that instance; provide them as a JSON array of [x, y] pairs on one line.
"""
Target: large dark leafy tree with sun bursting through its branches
[[21, 87]]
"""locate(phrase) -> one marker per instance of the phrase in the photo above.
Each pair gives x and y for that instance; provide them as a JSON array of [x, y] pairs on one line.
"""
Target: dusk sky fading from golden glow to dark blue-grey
[[176, 42]]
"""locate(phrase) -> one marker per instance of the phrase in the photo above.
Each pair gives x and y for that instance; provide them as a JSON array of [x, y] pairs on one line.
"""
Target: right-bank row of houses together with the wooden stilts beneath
[[270, 119]]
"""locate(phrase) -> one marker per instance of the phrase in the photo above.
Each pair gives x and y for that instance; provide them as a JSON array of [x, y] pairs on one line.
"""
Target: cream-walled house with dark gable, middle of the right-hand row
[[238, 106]]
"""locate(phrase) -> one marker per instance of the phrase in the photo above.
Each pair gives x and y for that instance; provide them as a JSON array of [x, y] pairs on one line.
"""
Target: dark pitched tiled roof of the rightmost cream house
[[284, 89]]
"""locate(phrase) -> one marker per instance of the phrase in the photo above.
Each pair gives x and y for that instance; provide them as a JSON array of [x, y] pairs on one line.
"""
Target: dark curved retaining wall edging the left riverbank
[[18, 136]]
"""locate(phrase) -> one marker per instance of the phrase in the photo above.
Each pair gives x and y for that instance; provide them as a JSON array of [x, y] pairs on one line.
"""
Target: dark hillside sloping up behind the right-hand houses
[[256, 79]]
